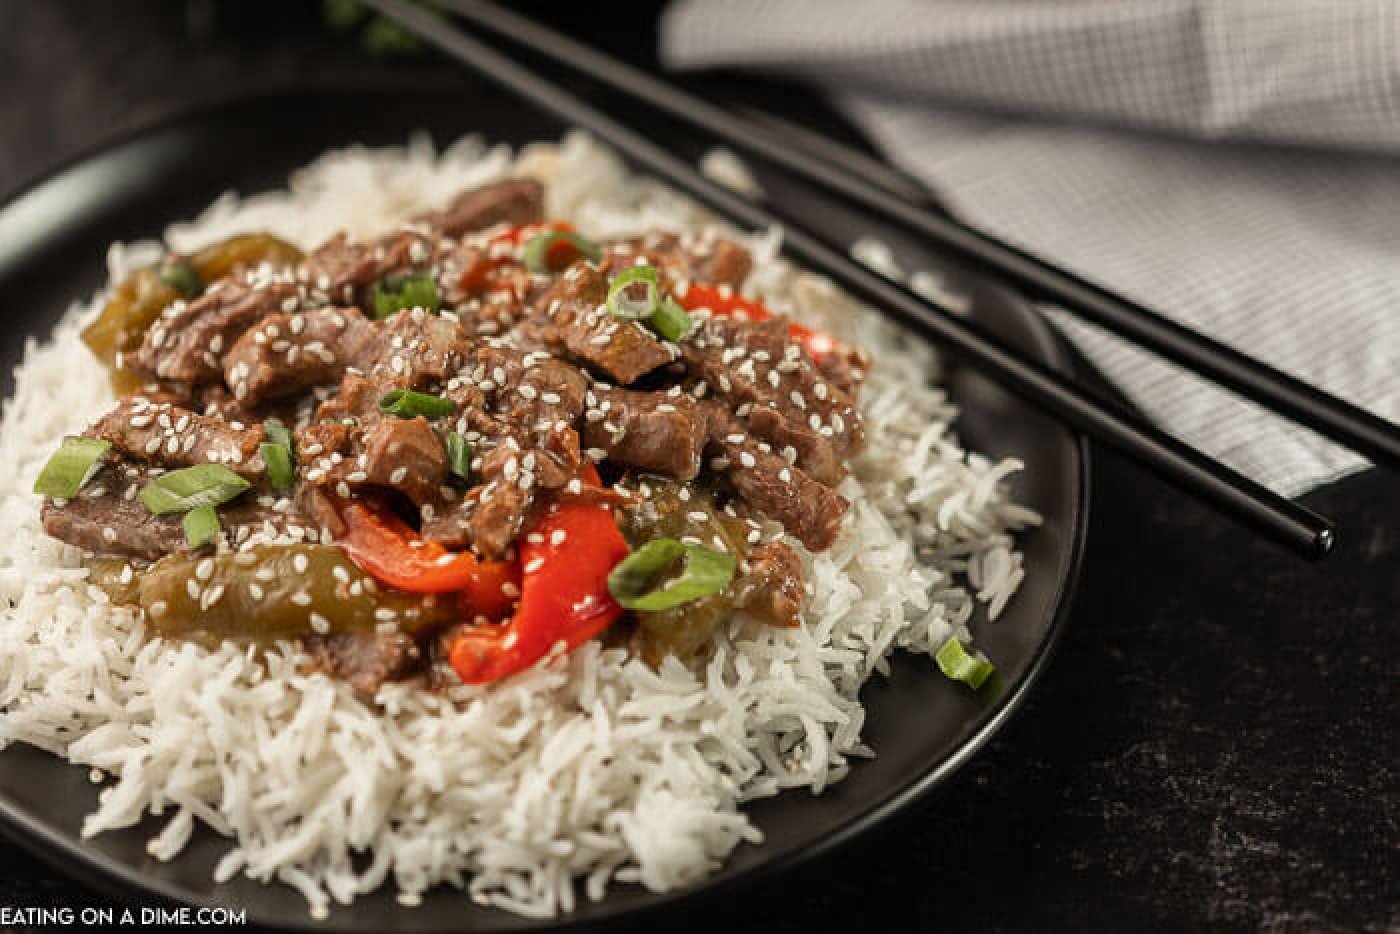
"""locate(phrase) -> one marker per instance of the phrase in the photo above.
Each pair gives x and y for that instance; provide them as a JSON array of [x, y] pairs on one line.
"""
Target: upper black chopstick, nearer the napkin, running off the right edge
[[1308, 405]]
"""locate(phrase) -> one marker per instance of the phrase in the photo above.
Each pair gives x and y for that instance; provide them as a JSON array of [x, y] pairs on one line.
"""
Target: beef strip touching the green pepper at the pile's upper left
[[185, 344]]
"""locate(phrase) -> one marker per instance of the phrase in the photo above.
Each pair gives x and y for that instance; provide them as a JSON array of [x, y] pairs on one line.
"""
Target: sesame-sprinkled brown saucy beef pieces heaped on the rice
[[537, 379]]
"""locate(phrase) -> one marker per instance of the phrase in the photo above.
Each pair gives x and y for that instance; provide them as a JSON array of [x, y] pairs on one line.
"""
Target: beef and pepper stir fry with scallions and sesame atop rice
[[457, 450]]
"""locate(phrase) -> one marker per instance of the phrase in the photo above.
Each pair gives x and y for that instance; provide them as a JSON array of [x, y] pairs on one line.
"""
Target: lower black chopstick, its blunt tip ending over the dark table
[[1179, 464]]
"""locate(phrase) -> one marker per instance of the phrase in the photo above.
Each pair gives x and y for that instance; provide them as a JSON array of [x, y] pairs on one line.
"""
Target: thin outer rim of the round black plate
[[125, 883]]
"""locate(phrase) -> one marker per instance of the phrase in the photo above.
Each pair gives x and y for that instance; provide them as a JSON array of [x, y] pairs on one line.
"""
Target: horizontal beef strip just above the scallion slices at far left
[[171, 436]]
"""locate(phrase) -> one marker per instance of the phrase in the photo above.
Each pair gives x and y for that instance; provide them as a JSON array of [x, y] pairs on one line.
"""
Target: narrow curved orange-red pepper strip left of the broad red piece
[[387, 548]]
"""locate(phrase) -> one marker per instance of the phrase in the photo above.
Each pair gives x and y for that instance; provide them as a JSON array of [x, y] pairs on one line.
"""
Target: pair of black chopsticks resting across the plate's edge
[[1192, 471]]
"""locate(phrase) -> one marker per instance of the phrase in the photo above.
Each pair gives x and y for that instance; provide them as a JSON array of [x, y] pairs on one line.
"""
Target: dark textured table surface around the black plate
[[1212, 748]]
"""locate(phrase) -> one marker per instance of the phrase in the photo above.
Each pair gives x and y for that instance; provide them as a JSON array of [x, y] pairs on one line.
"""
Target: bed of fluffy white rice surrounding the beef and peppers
[[545, 789]]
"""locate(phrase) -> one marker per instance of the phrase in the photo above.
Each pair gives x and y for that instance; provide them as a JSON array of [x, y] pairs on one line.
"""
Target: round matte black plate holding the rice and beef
[[922, 726]]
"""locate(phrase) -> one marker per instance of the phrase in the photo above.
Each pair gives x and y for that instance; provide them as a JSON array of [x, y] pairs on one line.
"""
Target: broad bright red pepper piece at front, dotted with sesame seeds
[[566, 559]]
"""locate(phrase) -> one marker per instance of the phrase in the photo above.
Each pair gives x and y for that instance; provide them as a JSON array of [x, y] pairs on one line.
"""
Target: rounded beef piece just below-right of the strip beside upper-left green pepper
[[286, 355]]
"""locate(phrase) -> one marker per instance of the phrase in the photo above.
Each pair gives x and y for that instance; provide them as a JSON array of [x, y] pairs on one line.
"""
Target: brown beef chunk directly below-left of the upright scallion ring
[[572, 321]]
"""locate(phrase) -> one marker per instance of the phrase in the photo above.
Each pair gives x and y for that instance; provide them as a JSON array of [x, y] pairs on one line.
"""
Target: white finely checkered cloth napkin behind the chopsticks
[[1231, 163]]
